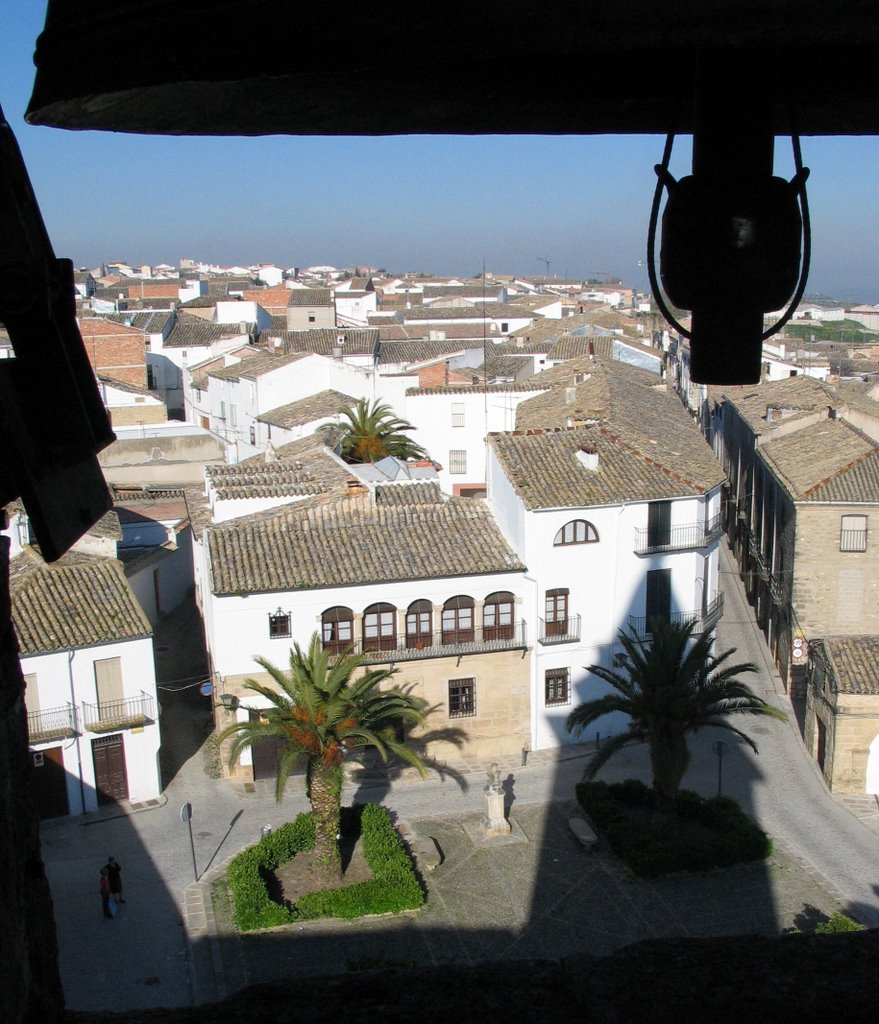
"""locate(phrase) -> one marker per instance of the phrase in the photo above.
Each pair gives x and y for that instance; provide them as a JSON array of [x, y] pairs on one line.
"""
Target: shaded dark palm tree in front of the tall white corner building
[[669, 689]]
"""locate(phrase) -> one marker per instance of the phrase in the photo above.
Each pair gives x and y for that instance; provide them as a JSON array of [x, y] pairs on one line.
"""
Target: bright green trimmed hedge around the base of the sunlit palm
[[393, 889]]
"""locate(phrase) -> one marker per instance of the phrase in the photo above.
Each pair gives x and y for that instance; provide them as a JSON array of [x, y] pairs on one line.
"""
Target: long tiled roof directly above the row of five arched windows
[[354, 541]]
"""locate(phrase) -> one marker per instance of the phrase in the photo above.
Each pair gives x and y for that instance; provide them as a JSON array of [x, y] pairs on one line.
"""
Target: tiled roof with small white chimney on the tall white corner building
[[547, 474]]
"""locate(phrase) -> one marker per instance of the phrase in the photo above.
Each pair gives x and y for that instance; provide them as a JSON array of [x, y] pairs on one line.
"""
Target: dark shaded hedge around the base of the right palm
[[729, 836]]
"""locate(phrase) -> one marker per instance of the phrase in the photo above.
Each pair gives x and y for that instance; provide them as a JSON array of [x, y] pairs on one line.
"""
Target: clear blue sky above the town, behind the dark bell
[[439, 204]]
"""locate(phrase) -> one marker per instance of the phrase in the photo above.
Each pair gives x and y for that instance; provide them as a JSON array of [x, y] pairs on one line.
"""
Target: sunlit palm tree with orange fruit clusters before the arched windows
[[319, 713]]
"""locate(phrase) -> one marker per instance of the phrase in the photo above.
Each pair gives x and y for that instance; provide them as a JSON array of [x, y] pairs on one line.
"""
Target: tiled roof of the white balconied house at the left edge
[[78, 602]]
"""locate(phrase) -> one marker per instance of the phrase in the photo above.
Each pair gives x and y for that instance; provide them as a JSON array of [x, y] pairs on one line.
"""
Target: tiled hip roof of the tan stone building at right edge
[[829, 461]]
